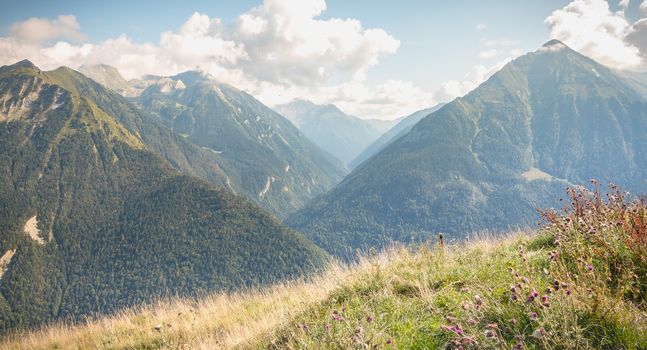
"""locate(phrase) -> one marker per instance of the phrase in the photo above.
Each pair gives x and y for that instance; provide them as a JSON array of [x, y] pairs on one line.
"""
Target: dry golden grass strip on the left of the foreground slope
[[214, 322]]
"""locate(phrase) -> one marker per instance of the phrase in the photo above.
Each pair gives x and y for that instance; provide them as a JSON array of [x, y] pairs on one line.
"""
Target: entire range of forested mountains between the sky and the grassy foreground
[[115, 193]]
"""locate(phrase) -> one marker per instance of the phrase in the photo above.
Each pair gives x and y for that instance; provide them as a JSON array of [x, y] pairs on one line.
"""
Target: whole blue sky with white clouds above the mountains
[[372, 58]]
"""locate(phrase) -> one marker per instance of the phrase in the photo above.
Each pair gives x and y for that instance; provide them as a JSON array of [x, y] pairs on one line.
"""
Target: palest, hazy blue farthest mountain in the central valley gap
[[336, 132]]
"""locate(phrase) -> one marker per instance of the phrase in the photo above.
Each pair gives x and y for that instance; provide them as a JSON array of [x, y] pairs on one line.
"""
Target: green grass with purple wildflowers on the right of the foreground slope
[[475, 295]]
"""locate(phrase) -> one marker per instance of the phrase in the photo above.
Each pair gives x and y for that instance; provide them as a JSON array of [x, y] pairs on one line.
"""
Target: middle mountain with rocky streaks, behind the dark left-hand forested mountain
[[270, 161]]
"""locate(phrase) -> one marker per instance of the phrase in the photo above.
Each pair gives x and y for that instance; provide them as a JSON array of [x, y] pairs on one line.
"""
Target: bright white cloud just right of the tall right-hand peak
[[590, 27]]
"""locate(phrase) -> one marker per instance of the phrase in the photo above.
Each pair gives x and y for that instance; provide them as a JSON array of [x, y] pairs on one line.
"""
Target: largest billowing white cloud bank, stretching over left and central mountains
[[278, 51]]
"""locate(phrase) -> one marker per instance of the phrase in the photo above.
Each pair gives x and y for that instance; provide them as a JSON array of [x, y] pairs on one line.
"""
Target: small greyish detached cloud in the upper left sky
[[38, 30]]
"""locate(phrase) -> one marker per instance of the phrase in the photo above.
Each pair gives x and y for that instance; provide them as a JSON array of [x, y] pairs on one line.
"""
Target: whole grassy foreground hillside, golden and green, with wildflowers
[[579, 282]]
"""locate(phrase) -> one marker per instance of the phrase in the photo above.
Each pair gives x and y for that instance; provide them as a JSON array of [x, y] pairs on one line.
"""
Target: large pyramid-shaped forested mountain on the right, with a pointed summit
[[549, 119]]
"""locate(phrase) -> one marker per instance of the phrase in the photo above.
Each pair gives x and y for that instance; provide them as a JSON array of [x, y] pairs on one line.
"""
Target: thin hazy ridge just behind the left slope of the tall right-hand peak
[[402, 127]]
